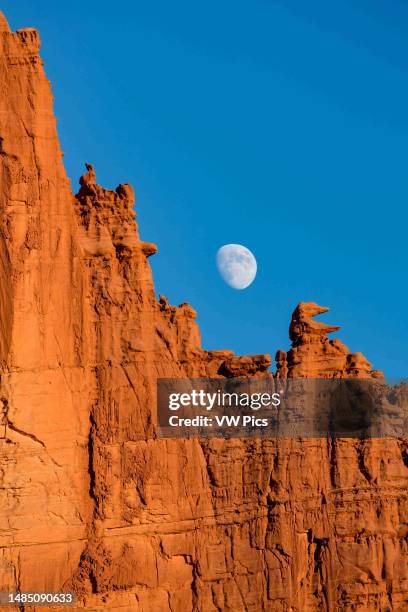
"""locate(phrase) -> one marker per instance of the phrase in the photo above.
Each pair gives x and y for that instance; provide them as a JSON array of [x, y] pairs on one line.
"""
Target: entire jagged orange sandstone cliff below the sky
[[90, 499]]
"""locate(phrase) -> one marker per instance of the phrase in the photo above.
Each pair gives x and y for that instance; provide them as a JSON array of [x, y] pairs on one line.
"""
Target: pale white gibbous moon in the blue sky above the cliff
[[237, 265]]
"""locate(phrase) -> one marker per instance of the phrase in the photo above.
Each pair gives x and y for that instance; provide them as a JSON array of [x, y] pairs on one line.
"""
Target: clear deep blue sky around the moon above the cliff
[[279, 125]]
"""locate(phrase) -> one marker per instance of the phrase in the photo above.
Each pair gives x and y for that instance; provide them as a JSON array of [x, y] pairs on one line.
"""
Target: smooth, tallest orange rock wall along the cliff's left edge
[[44, 506]]
